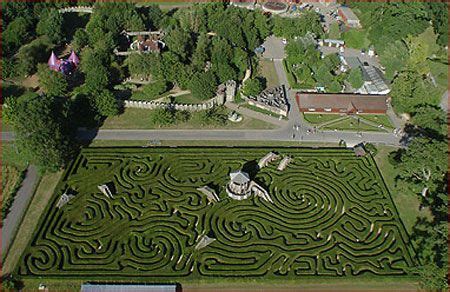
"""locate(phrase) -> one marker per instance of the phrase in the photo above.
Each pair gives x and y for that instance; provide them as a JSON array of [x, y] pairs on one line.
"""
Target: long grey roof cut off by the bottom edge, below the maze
[[128, 288]]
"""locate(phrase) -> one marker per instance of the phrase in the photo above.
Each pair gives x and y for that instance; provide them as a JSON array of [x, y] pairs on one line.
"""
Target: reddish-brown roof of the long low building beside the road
[[342, 101]]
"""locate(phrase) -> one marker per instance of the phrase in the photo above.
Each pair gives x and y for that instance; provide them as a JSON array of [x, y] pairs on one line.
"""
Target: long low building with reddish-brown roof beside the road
[[342, 103]]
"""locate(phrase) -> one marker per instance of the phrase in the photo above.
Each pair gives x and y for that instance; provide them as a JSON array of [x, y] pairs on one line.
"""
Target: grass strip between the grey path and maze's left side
[[29, 223]]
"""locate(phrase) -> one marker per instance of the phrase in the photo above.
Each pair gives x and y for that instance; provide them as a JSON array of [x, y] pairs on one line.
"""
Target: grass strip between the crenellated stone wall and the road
[[142, 119]]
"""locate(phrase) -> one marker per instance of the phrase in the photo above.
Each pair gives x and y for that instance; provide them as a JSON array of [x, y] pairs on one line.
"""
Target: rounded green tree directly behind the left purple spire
[[51, 25]]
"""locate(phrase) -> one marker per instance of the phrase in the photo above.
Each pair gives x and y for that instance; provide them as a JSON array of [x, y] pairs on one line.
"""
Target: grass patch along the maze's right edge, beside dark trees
[[407, 204]]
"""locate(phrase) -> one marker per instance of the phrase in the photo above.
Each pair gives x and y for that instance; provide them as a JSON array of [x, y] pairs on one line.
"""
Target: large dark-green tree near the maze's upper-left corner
[[41, 131]]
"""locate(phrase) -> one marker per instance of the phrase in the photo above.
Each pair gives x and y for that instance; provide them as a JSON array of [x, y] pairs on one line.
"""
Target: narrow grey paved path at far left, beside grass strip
[[17, 211]]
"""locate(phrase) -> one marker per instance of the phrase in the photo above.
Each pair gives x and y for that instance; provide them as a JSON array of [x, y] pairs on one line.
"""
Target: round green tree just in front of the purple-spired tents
[[53, 83]]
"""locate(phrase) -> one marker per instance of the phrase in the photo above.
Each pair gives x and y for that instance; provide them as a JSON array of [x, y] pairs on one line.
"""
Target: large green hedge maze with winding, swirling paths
[[331, 216]]
